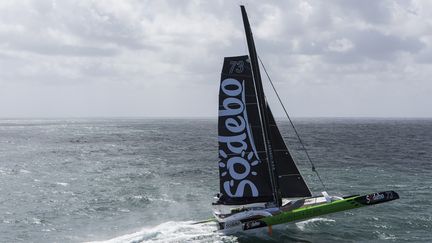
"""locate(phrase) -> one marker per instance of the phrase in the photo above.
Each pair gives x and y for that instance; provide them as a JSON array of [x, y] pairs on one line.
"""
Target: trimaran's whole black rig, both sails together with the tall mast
[[255, 164]]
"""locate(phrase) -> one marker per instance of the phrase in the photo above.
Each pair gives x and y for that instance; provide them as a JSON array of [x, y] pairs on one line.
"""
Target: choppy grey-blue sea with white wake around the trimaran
[[148, 180]]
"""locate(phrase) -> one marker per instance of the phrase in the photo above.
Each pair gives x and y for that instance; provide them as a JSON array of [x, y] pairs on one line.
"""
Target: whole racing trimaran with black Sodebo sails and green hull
[[260, 185]]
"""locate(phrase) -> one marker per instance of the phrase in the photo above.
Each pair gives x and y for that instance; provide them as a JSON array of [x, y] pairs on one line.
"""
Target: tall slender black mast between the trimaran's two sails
[[262, 104]]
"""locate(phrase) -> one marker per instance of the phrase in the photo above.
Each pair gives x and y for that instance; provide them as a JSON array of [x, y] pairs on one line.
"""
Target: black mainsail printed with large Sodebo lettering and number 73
[[244, 176]]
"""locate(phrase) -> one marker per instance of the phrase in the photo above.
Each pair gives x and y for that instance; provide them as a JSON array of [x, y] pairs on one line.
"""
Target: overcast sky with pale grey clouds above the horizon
[[163, 58]]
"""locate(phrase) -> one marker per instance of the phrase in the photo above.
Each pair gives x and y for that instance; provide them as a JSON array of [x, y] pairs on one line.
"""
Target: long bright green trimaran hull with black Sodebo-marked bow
[[307, 212]]
